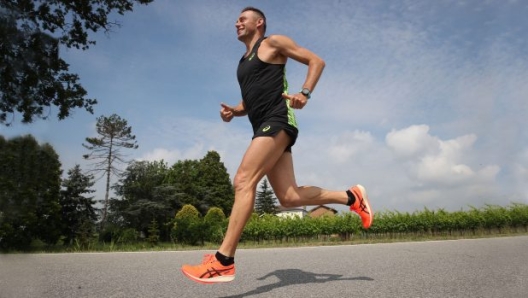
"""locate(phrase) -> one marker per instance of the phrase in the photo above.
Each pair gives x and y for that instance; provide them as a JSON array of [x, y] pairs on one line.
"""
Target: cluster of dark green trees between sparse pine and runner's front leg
[[152, 189]]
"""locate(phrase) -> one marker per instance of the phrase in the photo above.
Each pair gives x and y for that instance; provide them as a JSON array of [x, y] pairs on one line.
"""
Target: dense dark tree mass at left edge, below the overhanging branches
[[29, 192]]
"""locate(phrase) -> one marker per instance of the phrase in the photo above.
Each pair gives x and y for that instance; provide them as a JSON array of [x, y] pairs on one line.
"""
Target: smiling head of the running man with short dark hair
[[250, 21]]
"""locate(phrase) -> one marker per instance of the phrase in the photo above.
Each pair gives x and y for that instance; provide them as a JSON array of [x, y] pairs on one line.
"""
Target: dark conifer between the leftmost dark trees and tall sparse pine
[[78, 211]]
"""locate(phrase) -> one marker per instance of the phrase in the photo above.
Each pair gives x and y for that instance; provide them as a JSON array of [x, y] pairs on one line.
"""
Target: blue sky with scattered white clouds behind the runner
[[423, 102]]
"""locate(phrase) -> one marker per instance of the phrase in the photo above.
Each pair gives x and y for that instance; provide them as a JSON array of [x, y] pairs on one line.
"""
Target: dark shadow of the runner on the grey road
[[290, 277]]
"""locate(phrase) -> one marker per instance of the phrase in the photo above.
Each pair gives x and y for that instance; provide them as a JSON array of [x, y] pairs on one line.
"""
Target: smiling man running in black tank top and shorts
[[269, 107]]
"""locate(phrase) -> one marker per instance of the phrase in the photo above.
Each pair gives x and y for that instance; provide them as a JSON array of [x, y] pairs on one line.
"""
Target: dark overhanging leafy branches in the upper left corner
[[33, 77]]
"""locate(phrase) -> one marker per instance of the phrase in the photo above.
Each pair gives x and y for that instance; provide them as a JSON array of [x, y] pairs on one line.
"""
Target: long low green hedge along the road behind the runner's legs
[[490, 219]]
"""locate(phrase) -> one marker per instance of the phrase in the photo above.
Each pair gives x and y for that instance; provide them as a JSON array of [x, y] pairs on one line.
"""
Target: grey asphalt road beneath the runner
[[495, 267]]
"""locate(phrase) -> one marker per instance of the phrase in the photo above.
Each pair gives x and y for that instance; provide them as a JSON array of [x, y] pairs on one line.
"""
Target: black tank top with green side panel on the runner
[[262, 85]]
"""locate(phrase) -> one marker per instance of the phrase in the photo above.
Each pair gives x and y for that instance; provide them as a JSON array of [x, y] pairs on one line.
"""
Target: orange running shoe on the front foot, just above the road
[[210, 271]]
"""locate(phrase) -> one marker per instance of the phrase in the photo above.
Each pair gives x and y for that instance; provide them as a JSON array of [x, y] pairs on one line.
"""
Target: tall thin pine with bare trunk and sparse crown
[[115, 134]]
